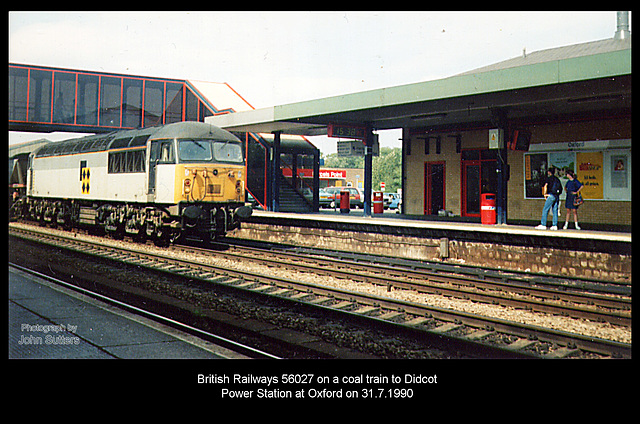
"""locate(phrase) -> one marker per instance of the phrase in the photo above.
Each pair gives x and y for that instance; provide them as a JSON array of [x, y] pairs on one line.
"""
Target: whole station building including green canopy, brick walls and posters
[[493, 130]]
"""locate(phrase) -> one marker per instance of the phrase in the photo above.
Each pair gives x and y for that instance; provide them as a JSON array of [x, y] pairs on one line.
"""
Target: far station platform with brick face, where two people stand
[[586, 254]]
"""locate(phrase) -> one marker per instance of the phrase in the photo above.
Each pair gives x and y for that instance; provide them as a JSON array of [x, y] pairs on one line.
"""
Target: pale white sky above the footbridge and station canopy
[[275, 58]]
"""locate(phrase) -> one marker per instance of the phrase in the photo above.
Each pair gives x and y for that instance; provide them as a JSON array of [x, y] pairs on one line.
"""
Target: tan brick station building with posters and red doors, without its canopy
[[450, 166]]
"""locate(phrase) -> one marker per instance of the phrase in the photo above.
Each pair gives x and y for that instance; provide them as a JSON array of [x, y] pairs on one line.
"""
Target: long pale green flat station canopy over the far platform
[[583, 78]]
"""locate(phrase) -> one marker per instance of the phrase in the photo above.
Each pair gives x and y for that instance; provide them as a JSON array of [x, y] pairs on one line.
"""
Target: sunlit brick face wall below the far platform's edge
[[604, 266]]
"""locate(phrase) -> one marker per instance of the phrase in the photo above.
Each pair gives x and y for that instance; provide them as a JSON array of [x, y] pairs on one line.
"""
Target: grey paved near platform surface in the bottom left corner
[[47, 321]]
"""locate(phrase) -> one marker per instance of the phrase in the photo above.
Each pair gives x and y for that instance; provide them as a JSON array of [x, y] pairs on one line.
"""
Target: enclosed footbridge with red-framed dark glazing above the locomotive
[[45, 99]]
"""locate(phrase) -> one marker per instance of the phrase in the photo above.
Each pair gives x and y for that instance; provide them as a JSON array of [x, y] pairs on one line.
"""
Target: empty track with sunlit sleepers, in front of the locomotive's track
[[496, 337]]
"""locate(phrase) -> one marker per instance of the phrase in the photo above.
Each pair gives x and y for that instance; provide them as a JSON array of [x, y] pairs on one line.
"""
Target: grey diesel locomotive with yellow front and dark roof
[[161, 183]]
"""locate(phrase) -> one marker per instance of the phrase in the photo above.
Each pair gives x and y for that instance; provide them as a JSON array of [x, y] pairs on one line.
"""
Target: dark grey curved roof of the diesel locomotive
[[134, 138]]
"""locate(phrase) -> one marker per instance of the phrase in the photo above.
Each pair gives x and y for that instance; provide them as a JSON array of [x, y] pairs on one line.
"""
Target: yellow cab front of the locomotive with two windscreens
[[209, 186]]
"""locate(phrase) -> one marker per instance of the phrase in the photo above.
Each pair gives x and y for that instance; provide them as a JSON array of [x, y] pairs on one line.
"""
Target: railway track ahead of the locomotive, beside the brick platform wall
[[568, 299]]
